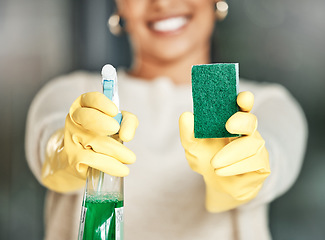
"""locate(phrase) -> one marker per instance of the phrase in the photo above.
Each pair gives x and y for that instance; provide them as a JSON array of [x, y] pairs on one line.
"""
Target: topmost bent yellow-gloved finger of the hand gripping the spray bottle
[[100, 102]]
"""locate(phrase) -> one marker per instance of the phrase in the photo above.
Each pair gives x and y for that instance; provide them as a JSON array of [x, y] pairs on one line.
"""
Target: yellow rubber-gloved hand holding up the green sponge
[[233, 169]]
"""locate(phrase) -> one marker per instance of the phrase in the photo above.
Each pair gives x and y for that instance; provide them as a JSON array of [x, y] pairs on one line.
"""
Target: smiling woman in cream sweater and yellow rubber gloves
[[164, 197]]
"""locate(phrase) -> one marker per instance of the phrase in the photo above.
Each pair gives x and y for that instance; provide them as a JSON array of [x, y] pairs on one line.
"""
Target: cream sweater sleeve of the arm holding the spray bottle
[[47, 114]]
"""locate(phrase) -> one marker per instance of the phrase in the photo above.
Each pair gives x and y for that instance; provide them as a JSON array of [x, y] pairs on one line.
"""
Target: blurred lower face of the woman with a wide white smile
[[165, 30]]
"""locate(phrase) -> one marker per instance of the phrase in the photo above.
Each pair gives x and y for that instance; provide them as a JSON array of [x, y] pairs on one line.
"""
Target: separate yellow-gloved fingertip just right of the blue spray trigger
[[128, 126]]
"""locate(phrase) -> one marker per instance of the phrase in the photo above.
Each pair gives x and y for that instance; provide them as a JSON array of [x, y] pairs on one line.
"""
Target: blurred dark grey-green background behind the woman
[[279, 41]]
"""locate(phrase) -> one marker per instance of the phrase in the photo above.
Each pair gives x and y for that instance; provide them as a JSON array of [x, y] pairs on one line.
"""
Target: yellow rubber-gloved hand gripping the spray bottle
[[84, 143]]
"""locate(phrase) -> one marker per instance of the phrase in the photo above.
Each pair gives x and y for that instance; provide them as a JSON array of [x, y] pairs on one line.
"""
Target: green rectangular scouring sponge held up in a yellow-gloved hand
[[214, 91]]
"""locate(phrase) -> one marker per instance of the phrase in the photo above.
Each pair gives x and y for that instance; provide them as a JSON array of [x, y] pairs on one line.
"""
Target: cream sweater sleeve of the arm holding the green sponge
[[283, 125]]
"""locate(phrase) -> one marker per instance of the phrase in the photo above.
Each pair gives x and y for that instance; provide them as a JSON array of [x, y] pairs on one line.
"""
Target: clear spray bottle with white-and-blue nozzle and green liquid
[[102, 209]]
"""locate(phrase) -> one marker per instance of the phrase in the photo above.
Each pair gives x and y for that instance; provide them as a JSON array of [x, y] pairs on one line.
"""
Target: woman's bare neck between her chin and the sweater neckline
[[178, 70]]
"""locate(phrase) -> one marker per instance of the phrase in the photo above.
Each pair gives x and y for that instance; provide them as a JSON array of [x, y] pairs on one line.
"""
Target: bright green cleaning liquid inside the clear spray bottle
[[102, 217]]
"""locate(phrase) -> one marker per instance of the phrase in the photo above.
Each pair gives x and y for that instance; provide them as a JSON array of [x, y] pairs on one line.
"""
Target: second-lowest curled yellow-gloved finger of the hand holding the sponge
[[237, 150]]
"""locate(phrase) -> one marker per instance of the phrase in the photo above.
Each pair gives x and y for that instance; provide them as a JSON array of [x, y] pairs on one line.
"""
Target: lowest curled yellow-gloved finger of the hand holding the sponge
[[256, 163]]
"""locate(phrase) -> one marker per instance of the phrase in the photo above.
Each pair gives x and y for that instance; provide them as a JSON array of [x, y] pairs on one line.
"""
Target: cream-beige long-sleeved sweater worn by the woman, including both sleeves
[[164, 198]]
